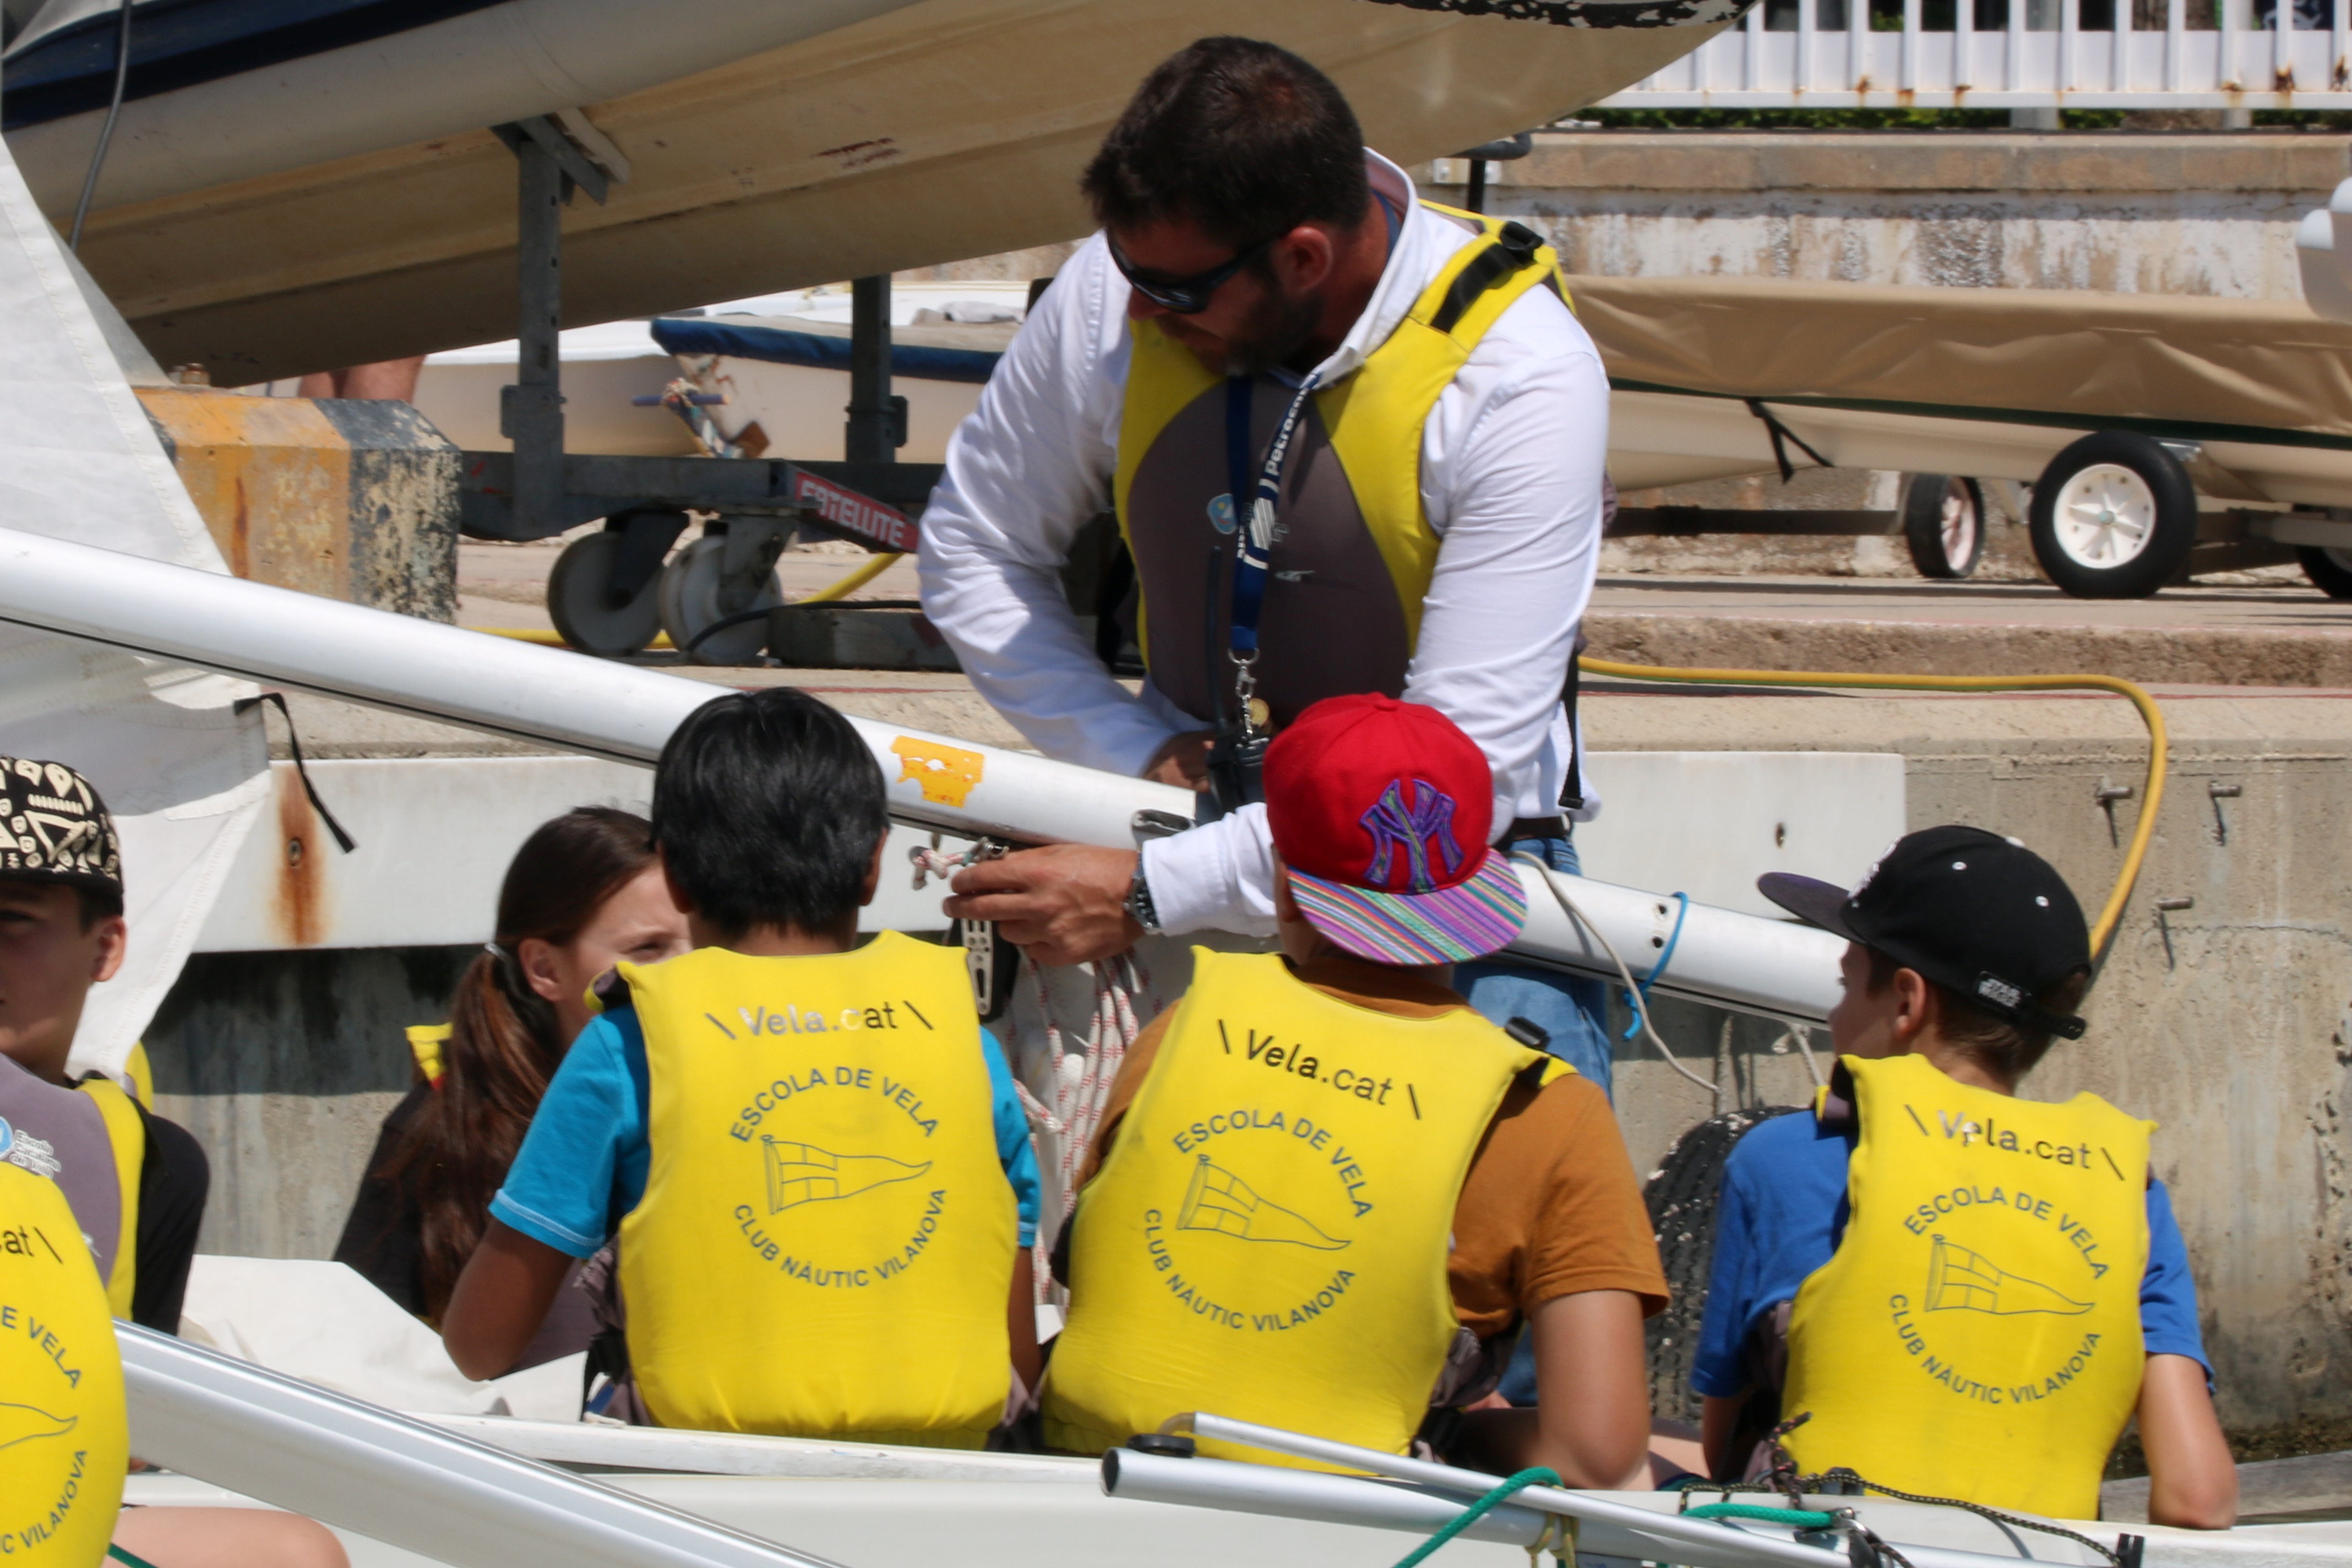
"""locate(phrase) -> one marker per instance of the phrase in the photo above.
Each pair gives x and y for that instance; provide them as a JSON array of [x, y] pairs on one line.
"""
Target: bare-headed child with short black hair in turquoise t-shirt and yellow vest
[[810, 1151]]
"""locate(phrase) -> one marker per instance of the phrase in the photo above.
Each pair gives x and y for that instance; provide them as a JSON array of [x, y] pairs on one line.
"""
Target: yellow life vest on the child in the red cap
[[1269, 1235]]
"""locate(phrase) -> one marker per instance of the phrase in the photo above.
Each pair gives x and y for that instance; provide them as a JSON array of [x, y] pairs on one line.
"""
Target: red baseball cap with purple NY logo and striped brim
[[1382, 812]]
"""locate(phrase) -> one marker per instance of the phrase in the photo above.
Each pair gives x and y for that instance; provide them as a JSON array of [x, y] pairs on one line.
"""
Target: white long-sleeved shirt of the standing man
[[1511, 481]]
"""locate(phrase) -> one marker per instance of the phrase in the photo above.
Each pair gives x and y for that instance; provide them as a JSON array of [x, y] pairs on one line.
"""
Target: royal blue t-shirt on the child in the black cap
[[1779, 1219]]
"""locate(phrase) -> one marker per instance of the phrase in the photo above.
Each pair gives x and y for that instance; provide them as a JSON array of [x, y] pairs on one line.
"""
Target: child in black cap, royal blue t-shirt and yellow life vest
[[1927, 1280]]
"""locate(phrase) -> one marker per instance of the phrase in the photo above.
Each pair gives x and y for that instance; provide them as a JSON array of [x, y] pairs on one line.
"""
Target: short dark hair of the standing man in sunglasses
[[1238, 138]]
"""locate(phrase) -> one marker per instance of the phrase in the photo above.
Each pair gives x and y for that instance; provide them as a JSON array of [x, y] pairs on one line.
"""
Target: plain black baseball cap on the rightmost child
[[1972, 911]]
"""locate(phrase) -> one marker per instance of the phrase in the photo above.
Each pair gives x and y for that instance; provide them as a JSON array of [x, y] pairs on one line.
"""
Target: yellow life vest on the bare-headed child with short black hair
[[827, 1238]]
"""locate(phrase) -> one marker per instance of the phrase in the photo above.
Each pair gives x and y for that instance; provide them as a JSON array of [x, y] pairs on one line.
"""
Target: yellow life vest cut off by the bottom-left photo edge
[[62, 1428]]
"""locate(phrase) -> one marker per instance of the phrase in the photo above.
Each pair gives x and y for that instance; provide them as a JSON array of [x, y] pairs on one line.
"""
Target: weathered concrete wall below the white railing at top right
[[2085, 210]]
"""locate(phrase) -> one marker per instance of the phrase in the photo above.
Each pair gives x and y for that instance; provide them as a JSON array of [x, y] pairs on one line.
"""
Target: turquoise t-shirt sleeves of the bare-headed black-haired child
[[584, 1162]]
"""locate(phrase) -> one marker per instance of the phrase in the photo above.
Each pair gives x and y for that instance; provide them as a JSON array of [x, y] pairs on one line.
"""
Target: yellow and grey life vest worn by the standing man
[[1356, 554]]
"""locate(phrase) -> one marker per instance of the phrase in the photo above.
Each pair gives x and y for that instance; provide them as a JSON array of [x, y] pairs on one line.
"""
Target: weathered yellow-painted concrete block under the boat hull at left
[[349, 500]]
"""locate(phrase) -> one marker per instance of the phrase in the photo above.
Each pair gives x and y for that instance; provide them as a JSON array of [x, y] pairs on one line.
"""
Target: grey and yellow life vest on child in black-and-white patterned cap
[[88, 1139]]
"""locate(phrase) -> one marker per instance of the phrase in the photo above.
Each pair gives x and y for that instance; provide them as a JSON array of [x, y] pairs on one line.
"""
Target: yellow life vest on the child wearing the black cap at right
[[1979, 1329]]
